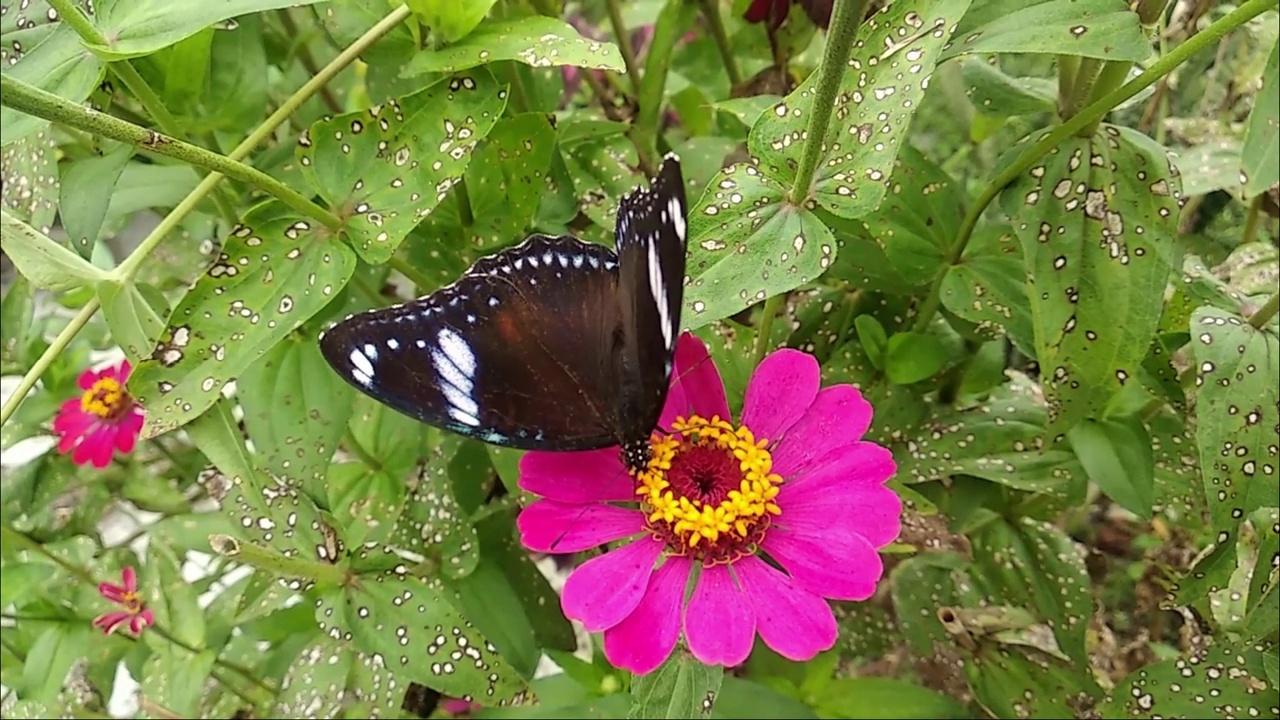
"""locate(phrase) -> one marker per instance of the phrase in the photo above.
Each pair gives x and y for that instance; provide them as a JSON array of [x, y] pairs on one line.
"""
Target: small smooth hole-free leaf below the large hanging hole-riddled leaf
[[1118, 457]]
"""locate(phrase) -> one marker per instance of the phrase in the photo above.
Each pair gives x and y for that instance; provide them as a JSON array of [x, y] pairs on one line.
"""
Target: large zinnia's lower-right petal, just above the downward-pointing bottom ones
[[839, 563]]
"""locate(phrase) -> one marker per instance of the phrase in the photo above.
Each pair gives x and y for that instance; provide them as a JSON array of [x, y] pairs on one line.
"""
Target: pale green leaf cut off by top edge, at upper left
[[140, 28]]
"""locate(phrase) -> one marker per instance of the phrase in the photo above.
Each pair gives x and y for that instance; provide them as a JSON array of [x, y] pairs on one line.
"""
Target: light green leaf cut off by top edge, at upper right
[[1092, 29]]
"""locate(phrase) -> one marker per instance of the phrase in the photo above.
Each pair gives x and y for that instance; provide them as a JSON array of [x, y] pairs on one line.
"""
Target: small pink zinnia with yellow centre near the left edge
[[102, 421]]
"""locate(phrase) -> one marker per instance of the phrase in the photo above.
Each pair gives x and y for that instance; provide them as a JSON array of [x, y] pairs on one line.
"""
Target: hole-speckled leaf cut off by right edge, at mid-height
[[1237, 412]]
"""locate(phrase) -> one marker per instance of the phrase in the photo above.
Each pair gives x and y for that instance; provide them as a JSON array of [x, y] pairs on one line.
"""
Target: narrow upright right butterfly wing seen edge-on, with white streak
[[652, 245]]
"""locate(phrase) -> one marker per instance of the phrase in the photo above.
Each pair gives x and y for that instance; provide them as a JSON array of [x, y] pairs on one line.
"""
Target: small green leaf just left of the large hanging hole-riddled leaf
[[986, 286]]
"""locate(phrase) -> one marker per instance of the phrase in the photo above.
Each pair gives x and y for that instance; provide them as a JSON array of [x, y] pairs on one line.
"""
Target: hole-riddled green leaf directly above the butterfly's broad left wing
[[387, 168]]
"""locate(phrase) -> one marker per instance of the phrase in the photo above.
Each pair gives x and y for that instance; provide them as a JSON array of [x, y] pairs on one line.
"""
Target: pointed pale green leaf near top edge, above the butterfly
[[536, 40]]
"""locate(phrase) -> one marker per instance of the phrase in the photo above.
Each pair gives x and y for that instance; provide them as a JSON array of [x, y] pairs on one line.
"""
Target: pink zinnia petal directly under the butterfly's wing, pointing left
[[593, 476]]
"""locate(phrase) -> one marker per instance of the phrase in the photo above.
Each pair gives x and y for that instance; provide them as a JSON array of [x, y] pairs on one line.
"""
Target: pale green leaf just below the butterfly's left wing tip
[[296, 409]]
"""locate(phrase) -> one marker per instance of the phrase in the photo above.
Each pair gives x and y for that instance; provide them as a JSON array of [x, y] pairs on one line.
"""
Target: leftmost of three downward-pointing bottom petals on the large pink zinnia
[[646, 639]]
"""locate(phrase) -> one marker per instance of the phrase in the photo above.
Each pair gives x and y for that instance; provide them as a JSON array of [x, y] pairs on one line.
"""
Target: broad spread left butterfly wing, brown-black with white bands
[[513, 354]]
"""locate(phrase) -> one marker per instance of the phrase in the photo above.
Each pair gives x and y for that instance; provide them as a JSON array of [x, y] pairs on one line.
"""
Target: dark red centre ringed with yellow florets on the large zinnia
[[710, 490]]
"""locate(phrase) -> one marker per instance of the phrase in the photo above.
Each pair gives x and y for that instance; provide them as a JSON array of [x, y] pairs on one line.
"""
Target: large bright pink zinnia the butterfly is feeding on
[[793, 482]]
